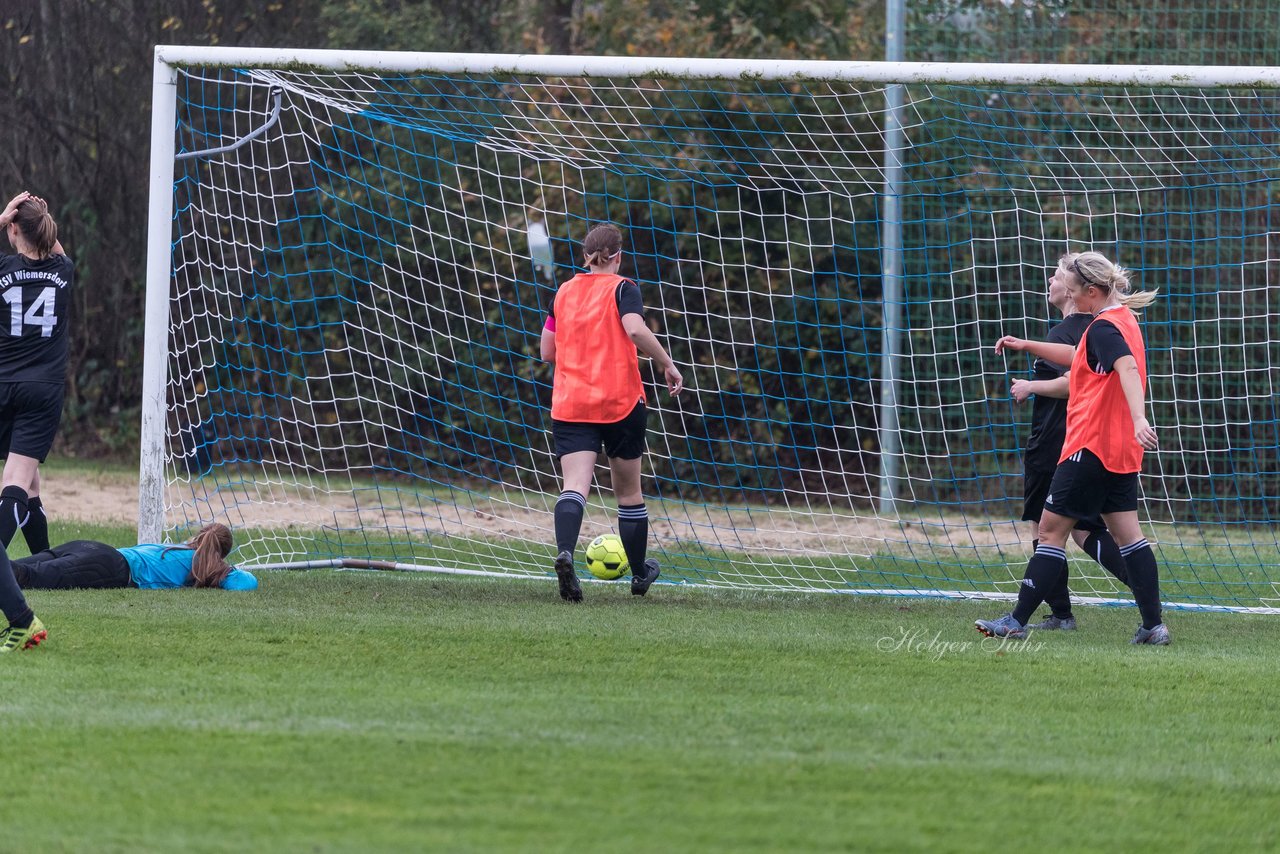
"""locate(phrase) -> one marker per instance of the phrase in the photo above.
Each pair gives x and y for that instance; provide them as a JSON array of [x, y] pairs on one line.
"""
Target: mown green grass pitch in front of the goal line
[[374, 713]]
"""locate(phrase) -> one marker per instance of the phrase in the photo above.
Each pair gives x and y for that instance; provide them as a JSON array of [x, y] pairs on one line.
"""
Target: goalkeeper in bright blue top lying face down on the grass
[[200, 563]]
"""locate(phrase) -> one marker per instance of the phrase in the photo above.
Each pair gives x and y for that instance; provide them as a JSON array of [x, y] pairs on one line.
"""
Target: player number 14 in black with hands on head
[[36, 282]]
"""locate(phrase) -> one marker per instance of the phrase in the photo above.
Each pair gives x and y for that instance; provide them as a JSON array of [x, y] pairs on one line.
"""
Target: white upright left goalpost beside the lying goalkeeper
[[156, 353]]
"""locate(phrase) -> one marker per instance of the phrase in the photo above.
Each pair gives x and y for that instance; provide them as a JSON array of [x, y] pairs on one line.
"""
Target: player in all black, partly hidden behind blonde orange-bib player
[[1050, 387]]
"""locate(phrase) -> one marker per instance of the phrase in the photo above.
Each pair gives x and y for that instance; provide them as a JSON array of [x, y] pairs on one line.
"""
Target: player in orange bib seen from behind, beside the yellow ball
[[592, 336]]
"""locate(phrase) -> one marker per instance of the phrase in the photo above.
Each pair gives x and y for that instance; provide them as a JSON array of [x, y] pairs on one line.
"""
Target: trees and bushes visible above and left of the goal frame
[[77, 94]]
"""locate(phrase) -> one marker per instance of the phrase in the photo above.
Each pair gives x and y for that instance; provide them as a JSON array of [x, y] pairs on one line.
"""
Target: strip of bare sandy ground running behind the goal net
[[115, 499]]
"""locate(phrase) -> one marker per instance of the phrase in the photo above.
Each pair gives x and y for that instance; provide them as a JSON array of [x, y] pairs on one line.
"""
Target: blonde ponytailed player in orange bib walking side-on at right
[[1107, 436]]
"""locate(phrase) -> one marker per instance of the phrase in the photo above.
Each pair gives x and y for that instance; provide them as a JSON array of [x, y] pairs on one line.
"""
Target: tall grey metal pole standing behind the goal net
[[892, 268]]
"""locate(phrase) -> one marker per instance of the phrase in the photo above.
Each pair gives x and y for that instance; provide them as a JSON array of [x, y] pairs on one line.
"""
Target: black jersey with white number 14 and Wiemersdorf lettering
[[34, 319]]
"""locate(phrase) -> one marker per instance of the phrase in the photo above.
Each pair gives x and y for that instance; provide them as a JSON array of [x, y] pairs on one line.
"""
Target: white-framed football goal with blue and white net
[[348, 294]]
